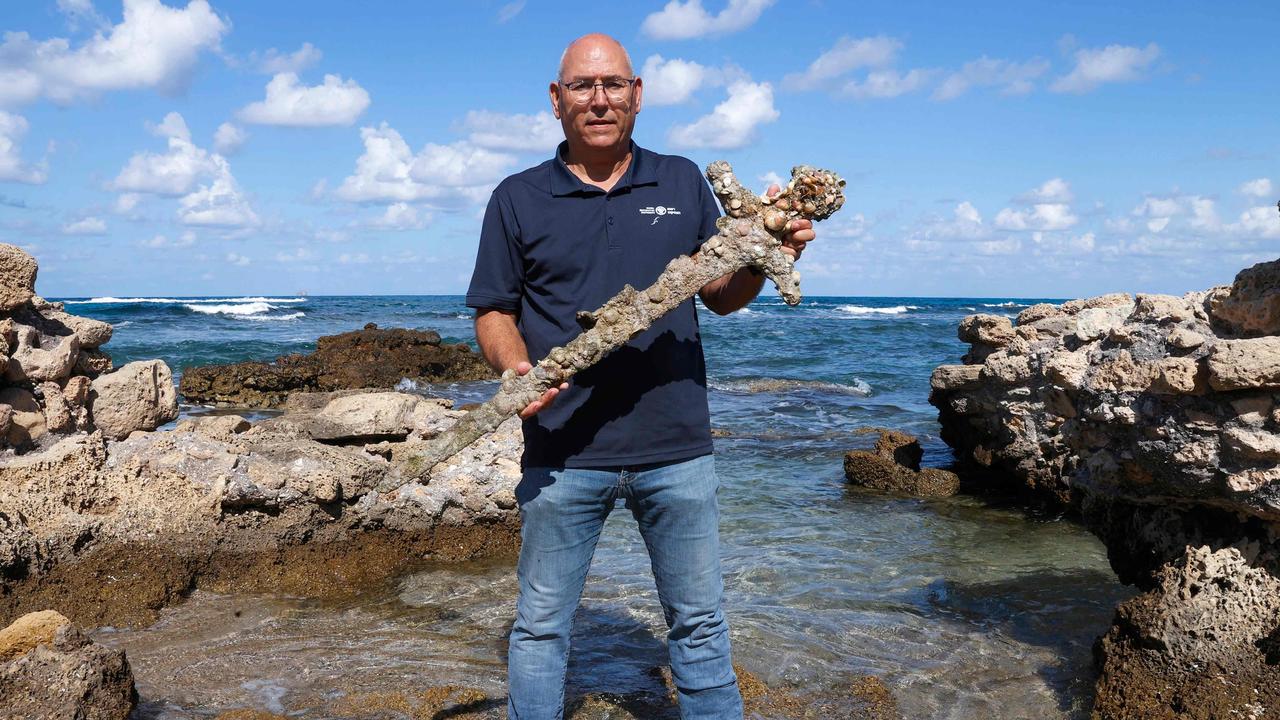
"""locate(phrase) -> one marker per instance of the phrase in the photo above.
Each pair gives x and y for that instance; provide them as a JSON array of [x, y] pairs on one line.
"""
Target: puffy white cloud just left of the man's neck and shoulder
[[447, 176]]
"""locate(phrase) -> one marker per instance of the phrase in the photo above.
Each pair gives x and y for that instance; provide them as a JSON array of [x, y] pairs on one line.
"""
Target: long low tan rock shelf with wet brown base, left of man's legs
[[112, 531]]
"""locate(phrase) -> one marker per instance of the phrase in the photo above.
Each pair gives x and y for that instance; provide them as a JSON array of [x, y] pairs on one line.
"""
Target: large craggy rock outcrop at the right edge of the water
[[1158, 418]]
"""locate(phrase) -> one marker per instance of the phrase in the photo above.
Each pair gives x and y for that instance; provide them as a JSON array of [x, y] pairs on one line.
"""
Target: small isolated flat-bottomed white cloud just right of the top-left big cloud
[[336, 103]]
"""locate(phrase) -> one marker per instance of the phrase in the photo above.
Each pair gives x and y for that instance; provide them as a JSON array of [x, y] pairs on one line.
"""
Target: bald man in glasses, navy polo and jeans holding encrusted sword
[[566, 236]]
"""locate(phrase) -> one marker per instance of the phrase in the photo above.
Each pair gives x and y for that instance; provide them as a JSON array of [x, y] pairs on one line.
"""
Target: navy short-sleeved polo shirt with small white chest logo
[[552, 245]]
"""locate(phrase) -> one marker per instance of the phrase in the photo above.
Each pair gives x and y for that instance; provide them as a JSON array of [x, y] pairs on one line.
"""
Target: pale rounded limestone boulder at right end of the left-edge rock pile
[[139, 397]]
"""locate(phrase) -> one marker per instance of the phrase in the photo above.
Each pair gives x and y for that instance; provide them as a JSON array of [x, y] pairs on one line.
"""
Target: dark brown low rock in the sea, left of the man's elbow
[[371, 358]]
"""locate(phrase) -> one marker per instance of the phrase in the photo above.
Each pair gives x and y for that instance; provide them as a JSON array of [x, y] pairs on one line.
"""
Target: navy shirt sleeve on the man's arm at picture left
[[500, 275]]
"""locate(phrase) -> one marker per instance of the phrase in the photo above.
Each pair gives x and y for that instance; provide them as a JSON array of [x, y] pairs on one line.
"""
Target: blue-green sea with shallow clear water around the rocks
[[964, 607]]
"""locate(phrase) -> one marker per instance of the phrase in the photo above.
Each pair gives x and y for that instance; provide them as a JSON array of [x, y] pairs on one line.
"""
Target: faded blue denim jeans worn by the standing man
[[563, 512]]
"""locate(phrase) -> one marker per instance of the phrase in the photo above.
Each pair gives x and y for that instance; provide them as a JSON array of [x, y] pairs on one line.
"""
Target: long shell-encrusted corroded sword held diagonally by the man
[[751, 235]]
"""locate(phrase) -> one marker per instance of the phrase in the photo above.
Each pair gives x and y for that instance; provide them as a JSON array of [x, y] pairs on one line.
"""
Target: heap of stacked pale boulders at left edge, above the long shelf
[[54, 379]]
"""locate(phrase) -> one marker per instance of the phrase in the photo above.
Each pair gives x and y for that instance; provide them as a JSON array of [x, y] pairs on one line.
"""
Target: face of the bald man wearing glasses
[[597, 122]]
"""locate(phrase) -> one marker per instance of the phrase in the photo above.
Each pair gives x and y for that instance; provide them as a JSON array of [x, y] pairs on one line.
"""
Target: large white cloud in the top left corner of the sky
[[154, 47]]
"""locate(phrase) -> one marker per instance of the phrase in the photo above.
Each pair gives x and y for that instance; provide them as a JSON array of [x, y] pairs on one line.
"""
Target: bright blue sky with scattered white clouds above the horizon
[[995, 149]]
